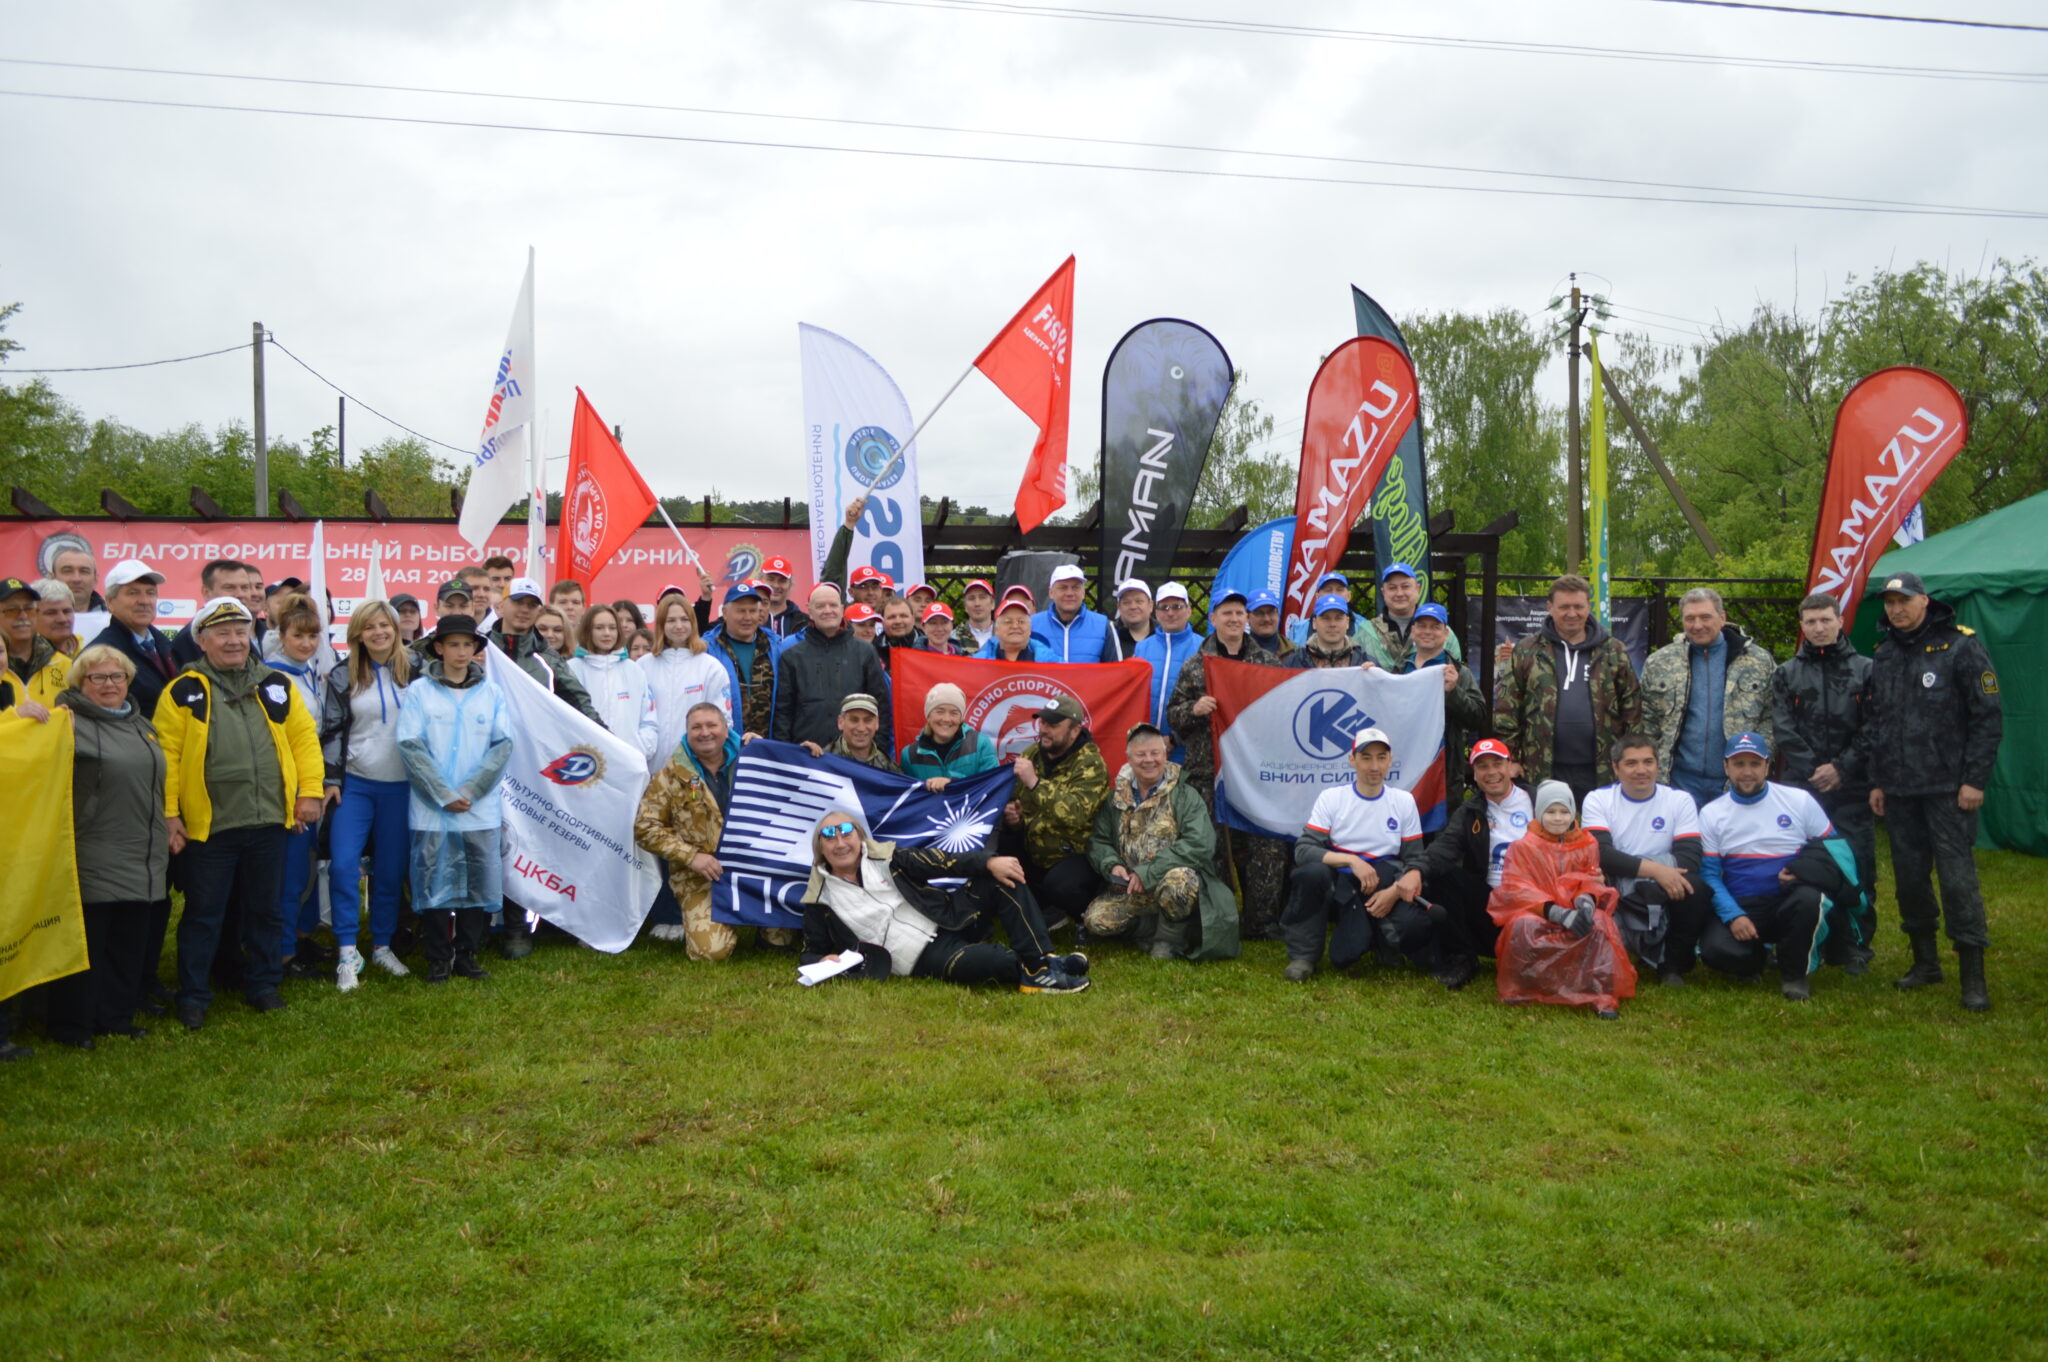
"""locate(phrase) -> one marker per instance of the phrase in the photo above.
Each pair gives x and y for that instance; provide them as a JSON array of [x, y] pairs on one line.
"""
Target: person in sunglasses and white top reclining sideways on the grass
[[880, 900]]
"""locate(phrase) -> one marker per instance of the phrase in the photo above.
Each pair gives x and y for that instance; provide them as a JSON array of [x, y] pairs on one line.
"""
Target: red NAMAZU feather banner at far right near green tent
[[1893, 437]]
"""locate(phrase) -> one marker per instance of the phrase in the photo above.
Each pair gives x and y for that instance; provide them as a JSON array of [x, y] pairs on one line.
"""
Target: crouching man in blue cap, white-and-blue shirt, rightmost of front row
[[1773, 859]]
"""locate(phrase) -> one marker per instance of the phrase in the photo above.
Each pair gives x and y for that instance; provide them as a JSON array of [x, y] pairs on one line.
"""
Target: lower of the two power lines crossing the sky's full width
[[1029, 163]]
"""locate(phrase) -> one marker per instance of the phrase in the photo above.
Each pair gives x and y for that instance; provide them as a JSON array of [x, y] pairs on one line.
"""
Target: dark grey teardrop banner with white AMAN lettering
[[1162, 398]]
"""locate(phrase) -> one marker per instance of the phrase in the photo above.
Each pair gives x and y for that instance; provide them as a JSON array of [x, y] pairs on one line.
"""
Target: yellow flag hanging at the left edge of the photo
[[42, 927]]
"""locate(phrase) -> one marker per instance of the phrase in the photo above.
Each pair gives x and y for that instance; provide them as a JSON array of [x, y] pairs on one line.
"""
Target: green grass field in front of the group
[[644, 1158]]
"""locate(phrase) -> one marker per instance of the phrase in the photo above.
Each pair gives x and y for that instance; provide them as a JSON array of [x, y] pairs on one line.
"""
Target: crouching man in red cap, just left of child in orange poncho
[[1463, 865]]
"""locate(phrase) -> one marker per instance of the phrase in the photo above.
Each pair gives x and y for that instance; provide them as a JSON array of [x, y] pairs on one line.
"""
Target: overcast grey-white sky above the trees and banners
[[673, 275]]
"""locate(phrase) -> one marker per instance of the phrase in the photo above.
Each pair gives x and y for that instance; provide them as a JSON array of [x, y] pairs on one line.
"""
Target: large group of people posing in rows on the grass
[[1609, 818]]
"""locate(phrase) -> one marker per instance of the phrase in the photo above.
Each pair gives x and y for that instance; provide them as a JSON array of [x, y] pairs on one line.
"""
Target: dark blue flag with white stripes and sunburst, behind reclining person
[[779, 796]]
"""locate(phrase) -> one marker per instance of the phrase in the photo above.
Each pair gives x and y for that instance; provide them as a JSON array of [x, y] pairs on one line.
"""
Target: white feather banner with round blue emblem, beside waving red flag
[[853, 423]]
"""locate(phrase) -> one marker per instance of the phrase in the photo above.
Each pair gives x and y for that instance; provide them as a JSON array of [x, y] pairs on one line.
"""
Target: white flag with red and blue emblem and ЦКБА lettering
[[570, 796]]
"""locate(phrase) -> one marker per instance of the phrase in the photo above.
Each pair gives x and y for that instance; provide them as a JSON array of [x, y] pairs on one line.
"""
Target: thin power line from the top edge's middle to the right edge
[[1461, 44]]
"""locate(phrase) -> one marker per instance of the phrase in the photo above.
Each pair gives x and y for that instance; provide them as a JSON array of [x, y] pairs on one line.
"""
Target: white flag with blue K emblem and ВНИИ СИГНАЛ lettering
[[1289, 738]]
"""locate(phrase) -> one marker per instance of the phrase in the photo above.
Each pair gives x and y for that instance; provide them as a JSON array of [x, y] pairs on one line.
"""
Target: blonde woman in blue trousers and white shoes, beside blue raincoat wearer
[[368, 788]]
